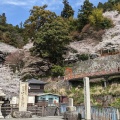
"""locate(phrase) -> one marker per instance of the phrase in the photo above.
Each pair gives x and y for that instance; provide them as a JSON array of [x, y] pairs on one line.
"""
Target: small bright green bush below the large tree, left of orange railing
[[57, 71]]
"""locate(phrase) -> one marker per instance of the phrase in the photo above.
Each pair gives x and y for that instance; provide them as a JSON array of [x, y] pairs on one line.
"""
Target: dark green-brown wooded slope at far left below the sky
[[10, 34]]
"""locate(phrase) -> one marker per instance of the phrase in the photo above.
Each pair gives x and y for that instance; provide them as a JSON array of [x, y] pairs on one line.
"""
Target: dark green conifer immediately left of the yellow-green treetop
[[84, 13]]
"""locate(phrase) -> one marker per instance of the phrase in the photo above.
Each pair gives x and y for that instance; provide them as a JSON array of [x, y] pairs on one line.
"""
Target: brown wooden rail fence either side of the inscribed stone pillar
[[37, 109]]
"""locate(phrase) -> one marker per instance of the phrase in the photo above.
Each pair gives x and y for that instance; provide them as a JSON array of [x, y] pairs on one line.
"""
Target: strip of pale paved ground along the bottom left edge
[[40, 118]]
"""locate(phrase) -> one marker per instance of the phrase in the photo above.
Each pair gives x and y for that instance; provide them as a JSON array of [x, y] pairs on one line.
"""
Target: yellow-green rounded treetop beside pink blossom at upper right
[[98, 20]]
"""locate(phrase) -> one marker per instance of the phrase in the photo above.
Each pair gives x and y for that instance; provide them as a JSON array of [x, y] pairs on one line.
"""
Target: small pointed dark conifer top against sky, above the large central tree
[[67, 11]]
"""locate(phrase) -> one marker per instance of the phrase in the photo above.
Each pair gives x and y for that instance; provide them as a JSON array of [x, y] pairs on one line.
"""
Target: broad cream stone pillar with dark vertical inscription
[[23, 96]]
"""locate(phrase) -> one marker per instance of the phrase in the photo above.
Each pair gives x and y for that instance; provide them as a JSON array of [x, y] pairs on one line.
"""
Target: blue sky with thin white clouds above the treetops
[[18, 10]]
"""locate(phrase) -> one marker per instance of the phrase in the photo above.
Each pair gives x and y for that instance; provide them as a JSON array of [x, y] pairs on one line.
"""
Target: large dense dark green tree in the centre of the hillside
[[51, 41]]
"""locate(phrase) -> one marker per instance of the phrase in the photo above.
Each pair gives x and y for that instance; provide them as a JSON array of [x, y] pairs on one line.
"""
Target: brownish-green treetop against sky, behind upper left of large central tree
[[38, 17]]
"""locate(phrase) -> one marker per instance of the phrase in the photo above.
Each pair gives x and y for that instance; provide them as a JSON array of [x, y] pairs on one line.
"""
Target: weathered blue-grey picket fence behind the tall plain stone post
[[108, 113]]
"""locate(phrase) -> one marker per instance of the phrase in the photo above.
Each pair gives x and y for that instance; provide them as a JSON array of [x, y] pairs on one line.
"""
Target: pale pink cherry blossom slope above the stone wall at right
[[109, 43]]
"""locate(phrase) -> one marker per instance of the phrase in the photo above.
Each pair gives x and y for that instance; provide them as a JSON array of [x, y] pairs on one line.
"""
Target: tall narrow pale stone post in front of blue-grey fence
[[87, 98]]
